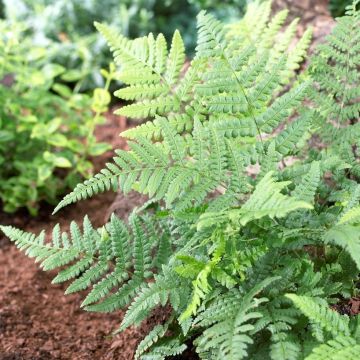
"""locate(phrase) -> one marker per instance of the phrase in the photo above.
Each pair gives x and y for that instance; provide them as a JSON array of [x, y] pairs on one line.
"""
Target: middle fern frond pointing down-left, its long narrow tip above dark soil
[[158, 173]]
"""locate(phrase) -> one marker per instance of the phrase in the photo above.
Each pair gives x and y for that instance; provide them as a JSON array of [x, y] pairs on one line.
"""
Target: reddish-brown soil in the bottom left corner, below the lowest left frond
[[38, 322]]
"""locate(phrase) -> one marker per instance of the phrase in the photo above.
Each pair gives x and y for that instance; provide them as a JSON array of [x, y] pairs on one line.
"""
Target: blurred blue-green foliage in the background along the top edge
[[66, 28]]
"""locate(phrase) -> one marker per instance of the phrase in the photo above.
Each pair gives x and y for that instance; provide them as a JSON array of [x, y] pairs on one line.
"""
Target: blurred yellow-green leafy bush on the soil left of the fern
[[46, 131]]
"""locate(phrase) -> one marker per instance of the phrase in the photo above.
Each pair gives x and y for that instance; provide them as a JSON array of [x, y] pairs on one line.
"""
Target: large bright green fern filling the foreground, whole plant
[[248, 249]]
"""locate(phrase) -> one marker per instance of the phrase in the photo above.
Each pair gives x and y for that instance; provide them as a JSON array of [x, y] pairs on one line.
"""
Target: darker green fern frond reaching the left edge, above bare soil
[[96, 260]]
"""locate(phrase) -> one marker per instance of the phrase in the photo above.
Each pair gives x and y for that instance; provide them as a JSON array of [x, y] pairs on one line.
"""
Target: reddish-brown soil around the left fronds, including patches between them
[[36, 320]]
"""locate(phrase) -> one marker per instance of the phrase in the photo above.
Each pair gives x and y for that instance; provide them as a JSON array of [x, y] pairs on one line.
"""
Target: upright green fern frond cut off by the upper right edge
[[336, 71]]
